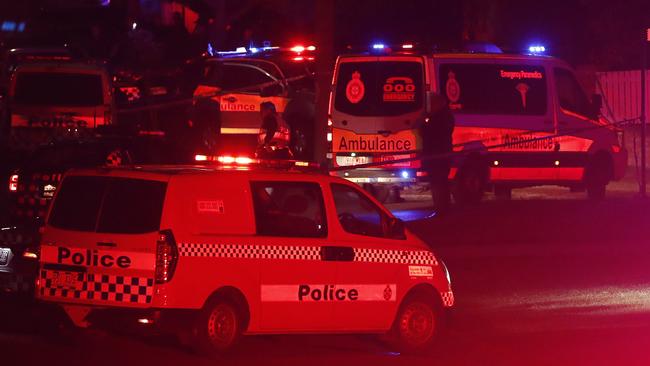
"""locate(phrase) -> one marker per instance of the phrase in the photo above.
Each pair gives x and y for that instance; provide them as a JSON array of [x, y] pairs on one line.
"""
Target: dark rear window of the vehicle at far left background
[[58, 89]]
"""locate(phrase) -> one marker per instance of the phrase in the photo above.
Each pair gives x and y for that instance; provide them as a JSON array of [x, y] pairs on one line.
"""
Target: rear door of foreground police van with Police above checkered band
[[99, 245]]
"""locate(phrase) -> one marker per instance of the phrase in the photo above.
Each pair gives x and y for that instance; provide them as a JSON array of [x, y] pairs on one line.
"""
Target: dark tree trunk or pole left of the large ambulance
[[324, 65]]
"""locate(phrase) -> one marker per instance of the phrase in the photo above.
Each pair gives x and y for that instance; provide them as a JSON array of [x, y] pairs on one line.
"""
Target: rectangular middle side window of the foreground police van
[[292, 209]]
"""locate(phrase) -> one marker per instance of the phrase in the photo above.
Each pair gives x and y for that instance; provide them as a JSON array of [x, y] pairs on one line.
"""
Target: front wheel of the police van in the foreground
[[417, 325]]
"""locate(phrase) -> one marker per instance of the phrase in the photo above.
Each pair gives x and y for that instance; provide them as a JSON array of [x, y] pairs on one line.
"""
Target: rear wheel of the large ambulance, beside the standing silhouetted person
[[470, 182]]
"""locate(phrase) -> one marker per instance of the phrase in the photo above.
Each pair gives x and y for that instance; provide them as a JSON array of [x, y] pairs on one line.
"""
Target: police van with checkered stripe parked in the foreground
[[224, 251]]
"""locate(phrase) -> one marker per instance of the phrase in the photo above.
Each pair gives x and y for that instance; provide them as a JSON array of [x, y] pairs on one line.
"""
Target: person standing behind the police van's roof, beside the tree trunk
[[274, 136]]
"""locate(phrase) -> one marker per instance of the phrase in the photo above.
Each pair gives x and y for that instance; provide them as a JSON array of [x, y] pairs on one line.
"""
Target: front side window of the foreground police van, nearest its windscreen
[[357, 214]]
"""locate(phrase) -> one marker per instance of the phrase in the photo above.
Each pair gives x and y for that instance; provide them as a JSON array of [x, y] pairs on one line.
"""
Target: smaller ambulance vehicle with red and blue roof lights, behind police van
[[235, 83]]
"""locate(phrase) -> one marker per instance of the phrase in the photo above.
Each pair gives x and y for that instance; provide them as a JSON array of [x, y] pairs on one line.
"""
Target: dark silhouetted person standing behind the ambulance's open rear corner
[[436, 135]]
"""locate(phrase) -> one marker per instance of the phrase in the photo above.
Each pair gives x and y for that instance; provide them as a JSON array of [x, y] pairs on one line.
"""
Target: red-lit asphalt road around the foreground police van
[[538, 281]]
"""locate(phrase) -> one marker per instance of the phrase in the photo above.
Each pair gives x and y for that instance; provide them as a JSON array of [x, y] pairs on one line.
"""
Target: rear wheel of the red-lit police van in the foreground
[[218, 327]]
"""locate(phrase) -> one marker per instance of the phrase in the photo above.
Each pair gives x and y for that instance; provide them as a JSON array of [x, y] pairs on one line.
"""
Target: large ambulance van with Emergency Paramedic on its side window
[[521, 120]]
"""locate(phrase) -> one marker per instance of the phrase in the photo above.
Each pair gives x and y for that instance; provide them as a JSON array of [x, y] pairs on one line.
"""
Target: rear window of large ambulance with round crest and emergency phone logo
[[385, 88]]
